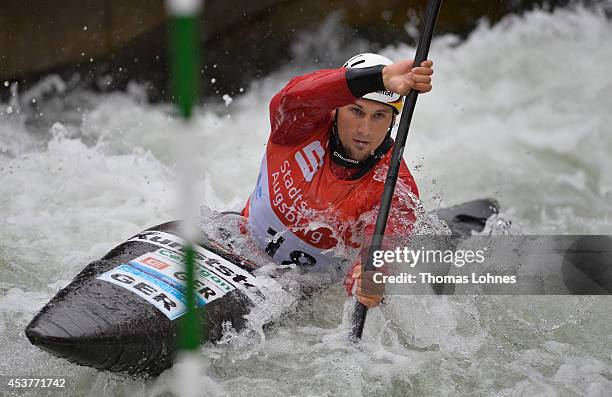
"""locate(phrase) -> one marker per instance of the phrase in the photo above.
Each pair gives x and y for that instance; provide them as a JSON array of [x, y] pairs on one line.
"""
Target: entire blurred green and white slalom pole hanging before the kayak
[[185, 67]]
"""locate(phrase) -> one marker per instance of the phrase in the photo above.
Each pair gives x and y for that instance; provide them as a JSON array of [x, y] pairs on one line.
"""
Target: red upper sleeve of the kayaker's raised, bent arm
[[304, 105]]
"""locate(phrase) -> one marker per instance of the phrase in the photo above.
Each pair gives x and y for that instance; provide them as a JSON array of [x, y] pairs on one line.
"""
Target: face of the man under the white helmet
[[362, 127]]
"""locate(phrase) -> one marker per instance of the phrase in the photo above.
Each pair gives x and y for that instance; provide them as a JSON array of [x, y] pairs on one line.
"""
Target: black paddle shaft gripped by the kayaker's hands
[[431, 15]]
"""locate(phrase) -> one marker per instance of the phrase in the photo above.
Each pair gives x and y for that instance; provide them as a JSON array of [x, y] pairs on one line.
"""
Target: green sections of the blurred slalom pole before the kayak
[[185, 67]]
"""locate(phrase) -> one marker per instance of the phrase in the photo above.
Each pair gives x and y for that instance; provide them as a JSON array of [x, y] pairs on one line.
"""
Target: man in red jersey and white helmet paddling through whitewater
[[325, 163]]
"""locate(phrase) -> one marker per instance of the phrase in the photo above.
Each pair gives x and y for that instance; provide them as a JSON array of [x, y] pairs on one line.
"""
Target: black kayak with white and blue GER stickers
[[121, 313]]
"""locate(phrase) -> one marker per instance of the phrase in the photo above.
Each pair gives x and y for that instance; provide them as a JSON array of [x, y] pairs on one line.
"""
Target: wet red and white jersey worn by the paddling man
[[300, 211]]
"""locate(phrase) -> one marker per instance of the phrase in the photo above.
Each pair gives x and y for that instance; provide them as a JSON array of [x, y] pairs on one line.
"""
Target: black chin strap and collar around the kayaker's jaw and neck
[[340, 157]]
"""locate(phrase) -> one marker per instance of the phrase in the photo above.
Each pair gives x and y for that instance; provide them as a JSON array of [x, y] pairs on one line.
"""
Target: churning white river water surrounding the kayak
[[520, 111]]
